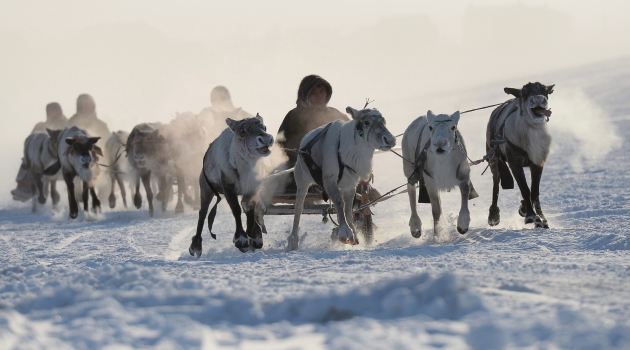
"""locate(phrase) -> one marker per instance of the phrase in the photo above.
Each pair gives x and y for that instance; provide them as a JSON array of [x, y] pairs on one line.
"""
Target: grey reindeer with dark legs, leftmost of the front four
[[231, 167]]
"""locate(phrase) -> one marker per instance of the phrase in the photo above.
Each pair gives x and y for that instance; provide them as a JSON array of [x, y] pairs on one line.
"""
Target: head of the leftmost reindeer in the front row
[[251, 134]]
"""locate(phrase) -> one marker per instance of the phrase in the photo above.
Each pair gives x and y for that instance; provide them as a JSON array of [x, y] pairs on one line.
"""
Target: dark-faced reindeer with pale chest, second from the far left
[[77, 154]]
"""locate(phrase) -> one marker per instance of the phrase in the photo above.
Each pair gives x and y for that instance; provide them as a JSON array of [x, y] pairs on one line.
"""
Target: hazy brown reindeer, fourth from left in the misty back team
[[149, 153]]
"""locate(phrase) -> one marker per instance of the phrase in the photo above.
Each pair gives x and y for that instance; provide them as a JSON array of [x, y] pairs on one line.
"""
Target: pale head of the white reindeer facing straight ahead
[[443, 131]]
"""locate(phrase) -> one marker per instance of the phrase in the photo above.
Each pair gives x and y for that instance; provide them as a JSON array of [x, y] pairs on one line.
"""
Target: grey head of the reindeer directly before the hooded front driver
[[370, 125]]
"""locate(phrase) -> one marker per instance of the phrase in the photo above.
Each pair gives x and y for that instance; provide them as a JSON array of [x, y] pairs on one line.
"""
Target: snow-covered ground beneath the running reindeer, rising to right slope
[[122, 279]]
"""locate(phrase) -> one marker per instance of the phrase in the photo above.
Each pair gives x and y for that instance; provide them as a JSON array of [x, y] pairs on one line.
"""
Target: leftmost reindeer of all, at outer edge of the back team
[[40, 156]]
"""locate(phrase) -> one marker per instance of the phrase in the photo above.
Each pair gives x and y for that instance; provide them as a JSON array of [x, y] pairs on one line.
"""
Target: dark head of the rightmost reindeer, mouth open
[[534, 101]]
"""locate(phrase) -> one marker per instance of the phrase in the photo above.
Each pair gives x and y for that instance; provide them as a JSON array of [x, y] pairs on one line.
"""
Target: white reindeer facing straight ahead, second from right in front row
[[440, 164]]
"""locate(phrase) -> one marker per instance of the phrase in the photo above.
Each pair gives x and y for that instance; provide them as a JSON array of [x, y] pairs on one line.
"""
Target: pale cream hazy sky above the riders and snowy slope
[[145, 60]]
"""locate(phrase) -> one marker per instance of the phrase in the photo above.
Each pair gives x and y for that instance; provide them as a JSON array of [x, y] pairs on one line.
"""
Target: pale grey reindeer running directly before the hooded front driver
[[354, 142]]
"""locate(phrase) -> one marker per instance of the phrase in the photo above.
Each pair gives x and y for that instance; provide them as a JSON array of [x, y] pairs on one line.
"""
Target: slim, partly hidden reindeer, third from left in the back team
[[120, 170]]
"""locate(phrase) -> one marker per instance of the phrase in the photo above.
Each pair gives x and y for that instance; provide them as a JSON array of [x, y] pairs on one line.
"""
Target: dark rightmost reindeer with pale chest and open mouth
[[517, 134]]
